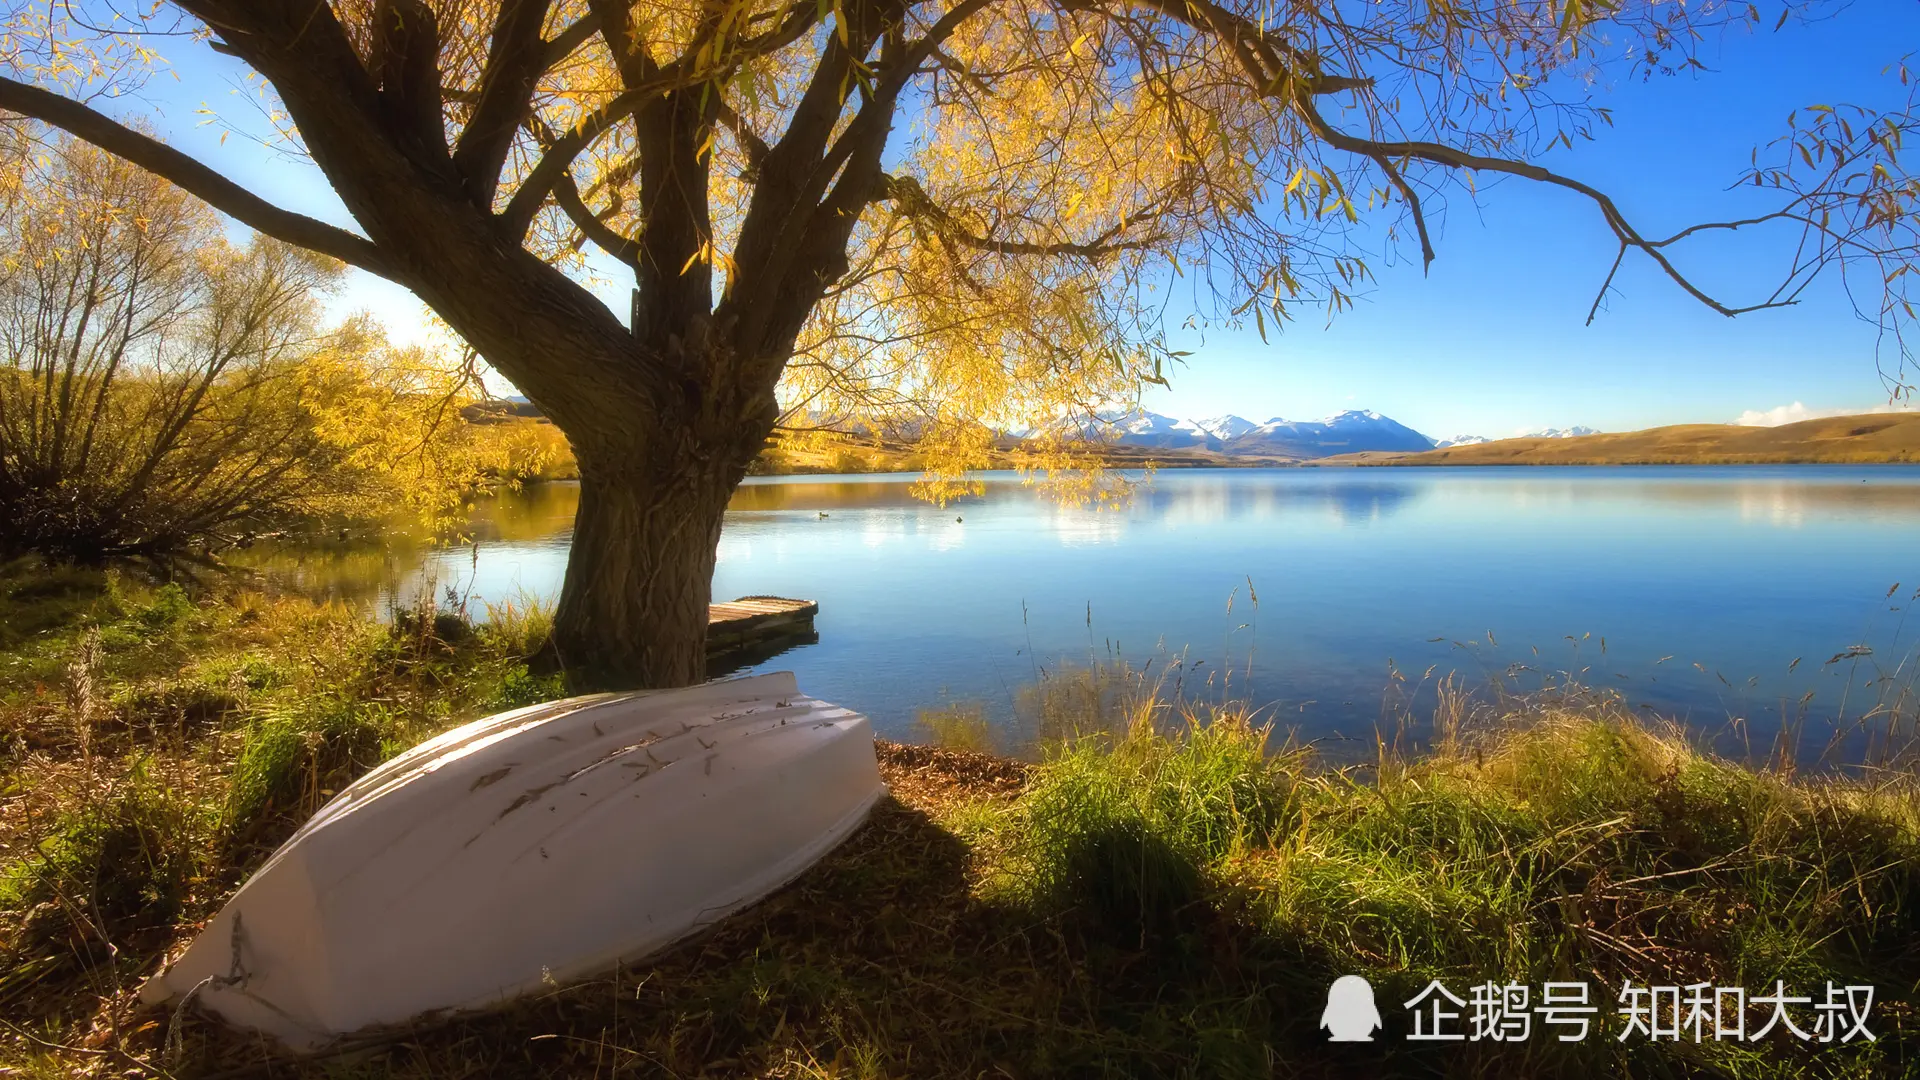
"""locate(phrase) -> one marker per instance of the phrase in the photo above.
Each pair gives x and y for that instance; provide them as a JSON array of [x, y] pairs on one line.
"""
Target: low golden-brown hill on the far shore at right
[[1865, 439]]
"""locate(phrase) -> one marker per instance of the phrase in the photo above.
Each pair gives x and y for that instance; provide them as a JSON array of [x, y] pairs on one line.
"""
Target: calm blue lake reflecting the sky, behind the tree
[[1716, 595]]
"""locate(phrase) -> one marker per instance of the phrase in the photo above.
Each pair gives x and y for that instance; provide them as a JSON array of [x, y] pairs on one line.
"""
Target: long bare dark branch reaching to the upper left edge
[[197, 180]]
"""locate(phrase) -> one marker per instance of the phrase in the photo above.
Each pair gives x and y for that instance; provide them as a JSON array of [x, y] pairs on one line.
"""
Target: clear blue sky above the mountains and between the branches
[[1493, 339]]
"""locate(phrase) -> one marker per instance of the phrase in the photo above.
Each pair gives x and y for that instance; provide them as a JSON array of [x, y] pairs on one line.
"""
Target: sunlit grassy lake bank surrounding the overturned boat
[[1164, 893]]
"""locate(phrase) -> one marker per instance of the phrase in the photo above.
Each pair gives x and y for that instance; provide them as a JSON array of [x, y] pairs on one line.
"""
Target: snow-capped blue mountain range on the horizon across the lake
[[1343, 433]]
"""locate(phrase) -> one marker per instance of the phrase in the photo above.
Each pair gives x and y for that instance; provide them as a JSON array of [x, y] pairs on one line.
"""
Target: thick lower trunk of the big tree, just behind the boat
[[640, 576]]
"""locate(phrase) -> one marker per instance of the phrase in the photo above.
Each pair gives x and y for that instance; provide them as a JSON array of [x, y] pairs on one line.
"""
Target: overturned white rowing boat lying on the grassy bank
[[531, 848]]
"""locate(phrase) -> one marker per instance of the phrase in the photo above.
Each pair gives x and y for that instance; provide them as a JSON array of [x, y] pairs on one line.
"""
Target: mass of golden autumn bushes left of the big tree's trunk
[[164, 387]]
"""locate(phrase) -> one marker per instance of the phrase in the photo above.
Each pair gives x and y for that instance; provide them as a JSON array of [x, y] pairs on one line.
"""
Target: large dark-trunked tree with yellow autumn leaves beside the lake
[[957, 207]]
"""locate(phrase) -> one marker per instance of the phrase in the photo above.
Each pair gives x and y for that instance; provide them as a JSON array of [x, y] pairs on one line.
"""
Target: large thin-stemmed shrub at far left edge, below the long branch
[[162, 405]]
